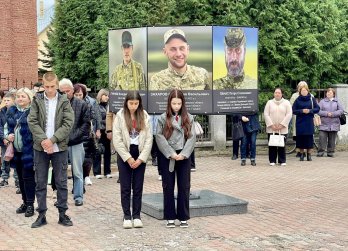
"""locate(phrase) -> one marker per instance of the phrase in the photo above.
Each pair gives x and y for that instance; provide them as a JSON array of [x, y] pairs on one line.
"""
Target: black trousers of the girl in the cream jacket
[[131, 179]]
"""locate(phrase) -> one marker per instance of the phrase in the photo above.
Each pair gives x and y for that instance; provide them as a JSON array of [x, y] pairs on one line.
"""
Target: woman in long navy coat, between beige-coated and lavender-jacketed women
[[304, 107]]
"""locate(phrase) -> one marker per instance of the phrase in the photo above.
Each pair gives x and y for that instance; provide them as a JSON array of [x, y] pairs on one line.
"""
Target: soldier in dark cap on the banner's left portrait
[[130, 74]]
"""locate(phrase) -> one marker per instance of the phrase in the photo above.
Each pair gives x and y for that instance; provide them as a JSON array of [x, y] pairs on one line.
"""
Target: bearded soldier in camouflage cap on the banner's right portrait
[[234, 57]]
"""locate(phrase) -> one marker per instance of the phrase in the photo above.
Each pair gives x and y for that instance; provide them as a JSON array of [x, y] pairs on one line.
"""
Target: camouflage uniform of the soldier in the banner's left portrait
[[128, 77]]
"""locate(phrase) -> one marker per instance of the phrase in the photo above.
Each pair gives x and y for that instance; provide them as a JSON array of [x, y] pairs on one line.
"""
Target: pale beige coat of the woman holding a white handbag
[[278, 112]]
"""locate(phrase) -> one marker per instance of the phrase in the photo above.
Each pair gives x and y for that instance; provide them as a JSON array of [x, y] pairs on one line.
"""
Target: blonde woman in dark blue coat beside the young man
[[17, 132]]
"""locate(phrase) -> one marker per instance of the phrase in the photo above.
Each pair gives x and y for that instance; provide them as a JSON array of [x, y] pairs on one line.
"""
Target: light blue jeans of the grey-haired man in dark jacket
[[77, 155]]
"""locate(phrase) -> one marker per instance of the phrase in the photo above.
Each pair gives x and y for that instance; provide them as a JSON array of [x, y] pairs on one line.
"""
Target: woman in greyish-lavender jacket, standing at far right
[[330, 110]]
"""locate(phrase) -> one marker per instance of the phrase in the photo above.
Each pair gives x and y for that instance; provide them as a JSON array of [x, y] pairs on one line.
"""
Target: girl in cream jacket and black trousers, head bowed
[[132, 139]]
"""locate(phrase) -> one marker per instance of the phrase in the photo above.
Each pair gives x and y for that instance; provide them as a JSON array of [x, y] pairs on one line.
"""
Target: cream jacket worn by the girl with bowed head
[[121, 139]]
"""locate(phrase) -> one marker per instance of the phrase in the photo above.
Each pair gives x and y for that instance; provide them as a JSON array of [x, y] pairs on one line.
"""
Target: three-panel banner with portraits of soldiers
[[215, 66]]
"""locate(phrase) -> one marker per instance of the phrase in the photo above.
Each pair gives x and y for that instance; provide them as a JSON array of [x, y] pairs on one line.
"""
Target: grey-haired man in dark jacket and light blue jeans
[[78, 134]]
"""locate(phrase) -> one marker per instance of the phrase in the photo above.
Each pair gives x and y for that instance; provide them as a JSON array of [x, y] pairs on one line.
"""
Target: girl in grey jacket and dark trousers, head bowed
[[175, 140]]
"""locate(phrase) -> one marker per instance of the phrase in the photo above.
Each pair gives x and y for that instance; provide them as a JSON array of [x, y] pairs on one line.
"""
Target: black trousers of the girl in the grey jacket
[[182, 171]]
